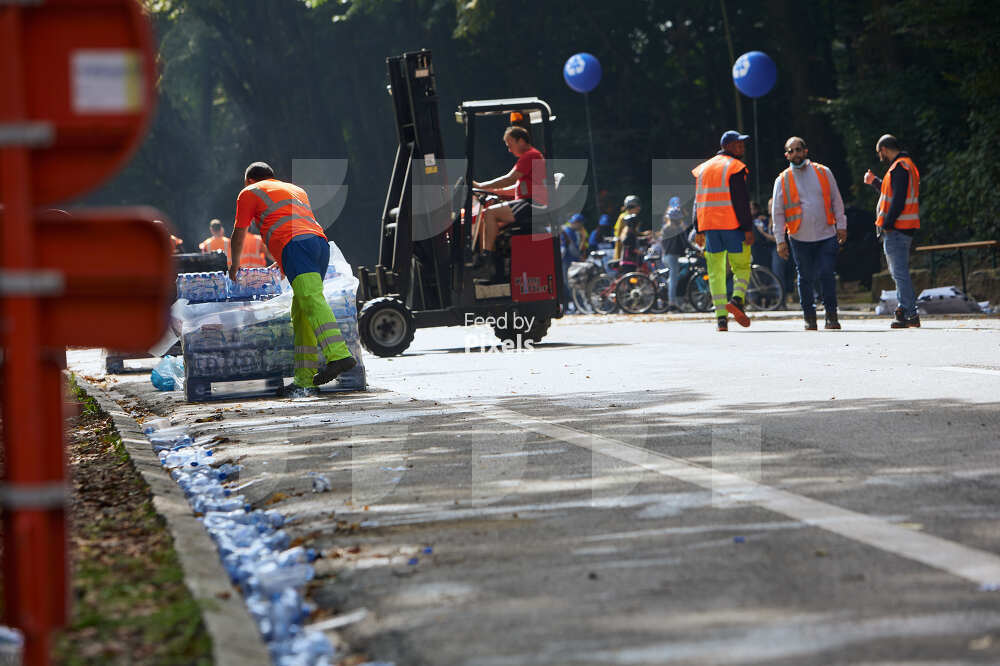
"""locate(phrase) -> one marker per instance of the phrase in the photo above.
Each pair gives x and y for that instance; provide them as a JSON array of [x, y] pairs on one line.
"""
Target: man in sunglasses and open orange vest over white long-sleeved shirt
[[807, 203]]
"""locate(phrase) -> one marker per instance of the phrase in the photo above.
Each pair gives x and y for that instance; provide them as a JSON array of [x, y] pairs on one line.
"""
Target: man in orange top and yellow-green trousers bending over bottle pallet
[[285, 218]]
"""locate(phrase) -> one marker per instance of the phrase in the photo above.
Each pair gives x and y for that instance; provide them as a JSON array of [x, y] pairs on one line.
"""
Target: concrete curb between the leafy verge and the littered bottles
[[235, 638]]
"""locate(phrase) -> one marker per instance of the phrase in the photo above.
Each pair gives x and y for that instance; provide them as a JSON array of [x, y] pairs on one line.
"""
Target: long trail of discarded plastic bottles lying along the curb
[[254, 549]]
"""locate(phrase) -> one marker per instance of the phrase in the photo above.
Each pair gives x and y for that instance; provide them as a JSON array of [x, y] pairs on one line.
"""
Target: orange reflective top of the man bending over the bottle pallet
[[282, 212]]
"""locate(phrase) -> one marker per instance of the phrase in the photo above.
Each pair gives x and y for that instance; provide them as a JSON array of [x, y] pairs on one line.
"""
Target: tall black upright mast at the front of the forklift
[[414, 257]]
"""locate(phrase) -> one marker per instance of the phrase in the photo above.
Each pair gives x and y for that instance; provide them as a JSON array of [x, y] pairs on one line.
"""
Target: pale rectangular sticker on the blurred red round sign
[[106, 81]]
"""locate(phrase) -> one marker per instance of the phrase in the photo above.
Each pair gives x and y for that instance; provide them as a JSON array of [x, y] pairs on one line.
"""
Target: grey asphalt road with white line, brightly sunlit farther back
[[637, 491]]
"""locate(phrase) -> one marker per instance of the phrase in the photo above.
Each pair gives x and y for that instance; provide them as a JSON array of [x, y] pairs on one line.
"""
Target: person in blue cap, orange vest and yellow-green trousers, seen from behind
[[724, 226]]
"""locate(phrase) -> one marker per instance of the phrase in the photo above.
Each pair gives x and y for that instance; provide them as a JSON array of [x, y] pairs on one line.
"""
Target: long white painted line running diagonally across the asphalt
[[971, 564]]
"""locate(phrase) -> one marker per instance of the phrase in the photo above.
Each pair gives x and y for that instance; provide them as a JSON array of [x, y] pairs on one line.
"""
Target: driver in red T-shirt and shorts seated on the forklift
[[525, 184]]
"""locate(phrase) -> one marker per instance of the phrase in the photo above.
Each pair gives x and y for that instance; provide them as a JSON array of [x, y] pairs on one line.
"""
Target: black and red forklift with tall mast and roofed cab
[[424, 275]]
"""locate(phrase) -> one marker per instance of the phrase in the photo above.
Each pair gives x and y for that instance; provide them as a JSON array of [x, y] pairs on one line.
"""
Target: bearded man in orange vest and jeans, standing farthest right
[[897, 219]]
